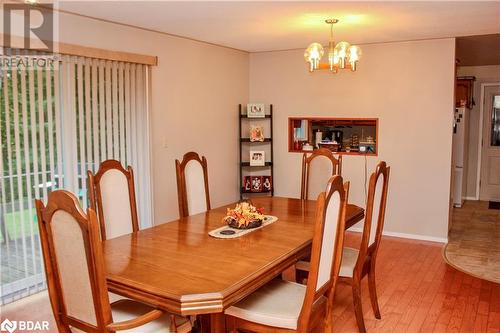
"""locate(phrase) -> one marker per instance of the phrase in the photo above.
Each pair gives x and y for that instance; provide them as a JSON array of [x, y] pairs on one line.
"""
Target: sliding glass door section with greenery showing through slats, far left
[[29, 169]]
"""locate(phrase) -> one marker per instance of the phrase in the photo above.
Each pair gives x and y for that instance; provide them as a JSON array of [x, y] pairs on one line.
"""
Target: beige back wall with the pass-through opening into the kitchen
[[409, 87]]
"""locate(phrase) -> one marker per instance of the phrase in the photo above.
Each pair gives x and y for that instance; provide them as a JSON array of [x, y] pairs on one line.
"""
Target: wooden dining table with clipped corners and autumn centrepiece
[[179, 268]]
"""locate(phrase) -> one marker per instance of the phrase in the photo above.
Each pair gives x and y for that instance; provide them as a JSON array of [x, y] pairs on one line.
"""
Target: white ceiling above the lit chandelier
[[266, 26]]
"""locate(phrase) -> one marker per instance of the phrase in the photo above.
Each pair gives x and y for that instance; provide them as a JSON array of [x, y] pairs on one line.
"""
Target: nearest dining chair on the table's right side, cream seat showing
[[283, 306]]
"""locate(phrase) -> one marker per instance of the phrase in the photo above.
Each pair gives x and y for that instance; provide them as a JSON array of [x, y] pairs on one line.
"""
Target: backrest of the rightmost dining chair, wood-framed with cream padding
[[374, 215]]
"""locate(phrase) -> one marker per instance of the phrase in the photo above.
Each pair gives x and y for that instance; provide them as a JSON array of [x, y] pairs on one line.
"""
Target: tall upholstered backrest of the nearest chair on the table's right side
[[327, 245]]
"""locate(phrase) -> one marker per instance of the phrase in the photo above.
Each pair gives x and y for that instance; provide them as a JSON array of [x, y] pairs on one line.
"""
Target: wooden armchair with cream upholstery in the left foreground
[[76, 277]]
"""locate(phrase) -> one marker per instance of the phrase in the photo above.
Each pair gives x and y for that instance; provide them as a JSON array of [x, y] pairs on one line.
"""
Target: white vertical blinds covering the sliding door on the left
[[57, 123]]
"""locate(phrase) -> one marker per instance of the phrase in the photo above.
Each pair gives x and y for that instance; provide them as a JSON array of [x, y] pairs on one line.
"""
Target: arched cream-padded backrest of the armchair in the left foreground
[[74, 264]]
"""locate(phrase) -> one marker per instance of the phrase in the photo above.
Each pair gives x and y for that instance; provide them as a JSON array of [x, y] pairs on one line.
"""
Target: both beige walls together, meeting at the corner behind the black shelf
[[196, 89]]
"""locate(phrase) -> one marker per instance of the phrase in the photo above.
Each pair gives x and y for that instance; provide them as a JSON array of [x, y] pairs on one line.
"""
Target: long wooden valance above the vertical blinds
[[84, 51]]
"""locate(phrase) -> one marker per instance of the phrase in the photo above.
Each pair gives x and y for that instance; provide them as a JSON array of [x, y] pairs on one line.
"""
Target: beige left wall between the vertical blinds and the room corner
[[196, 89]]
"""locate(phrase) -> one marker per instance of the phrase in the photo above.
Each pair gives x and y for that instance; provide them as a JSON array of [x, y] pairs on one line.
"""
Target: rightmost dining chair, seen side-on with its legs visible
[[358, 263]]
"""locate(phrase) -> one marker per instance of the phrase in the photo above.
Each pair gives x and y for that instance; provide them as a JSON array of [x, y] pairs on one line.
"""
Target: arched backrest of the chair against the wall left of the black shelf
[[192, 184]]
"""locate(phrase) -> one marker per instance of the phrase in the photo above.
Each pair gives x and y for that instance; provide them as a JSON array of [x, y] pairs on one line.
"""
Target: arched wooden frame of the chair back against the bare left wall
[[180, 167]]
